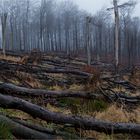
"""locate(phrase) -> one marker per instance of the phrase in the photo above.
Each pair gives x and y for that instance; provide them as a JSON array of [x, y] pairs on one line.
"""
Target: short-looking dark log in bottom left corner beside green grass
[[21, 131]]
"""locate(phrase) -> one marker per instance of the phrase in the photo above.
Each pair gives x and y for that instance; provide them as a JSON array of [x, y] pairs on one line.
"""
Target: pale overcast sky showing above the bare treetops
[[94, 5]]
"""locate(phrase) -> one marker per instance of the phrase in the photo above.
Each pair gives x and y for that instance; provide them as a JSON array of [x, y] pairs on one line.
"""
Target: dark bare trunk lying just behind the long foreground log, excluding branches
[[8, 88]]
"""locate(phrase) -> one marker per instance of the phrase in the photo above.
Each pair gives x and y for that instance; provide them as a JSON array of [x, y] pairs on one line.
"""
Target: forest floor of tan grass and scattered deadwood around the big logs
[[119, 101]]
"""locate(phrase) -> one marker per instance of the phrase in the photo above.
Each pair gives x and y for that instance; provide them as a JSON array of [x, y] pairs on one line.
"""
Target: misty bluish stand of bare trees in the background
[[49, 25]]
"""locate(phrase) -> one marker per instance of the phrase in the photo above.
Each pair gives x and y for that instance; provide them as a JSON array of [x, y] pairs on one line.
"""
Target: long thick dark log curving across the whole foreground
[[9, 102]]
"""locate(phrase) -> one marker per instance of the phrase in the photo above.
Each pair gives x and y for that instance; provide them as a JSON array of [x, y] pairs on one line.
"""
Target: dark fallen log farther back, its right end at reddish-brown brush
[[43, 71]]
